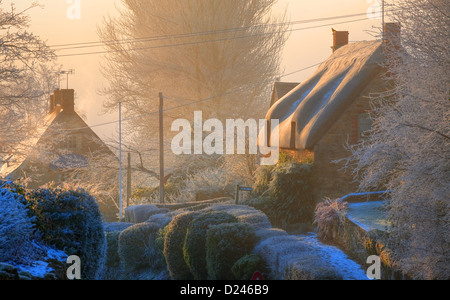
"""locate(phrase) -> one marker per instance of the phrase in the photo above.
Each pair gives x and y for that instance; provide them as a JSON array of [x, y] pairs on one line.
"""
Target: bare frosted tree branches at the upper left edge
[[25, 79]]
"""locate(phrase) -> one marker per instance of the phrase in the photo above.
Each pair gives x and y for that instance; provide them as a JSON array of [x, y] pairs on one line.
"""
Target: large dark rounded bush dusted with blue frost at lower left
[[71, 221]]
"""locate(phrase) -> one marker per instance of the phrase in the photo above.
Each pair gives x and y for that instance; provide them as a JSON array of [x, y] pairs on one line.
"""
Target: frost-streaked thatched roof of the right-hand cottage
[[316, 104]]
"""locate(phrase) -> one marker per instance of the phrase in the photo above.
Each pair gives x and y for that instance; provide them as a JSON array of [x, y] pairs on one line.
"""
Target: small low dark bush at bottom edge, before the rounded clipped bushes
[[248, 265]]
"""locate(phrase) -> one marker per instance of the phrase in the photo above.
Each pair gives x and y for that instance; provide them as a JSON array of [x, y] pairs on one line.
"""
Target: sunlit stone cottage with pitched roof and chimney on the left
[[62, 144]]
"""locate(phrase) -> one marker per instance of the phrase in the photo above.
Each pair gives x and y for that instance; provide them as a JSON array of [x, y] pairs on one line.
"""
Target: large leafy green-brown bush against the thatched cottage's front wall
[[285, 194]]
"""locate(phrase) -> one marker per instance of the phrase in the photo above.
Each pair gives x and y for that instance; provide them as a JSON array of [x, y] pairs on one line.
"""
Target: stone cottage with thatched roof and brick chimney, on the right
[[331, 109]]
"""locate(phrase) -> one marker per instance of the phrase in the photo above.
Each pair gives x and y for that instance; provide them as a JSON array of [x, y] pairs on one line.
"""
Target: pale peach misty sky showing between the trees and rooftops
[[304, 48]]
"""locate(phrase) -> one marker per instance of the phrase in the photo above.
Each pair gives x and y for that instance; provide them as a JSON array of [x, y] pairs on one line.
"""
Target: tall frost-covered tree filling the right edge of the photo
[[409, 150]]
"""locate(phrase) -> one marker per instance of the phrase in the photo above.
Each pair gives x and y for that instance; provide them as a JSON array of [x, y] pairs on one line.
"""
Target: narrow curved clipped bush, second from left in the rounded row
[[173, 246]]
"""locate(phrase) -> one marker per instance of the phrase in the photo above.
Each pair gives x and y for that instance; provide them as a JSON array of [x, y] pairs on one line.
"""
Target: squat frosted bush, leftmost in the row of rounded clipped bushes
[[137, 247]]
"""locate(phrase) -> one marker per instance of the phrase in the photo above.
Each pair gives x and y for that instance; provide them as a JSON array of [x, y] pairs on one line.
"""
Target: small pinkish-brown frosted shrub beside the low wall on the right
[[329, 214]]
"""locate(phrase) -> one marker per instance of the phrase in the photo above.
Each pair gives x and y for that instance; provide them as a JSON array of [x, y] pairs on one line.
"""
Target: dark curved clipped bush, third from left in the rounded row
[[195, 243]]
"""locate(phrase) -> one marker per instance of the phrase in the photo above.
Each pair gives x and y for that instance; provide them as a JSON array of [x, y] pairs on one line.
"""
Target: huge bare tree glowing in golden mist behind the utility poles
[[192, 50]]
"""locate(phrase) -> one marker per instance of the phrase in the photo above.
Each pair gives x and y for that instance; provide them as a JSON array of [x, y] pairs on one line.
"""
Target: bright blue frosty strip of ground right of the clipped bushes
[[349, 269]]
